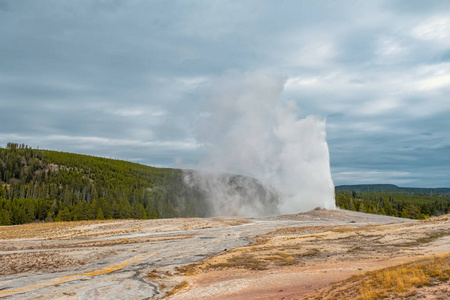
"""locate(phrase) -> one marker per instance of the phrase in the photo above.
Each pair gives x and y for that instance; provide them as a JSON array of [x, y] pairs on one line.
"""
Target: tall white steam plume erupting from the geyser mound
[[249, 130]]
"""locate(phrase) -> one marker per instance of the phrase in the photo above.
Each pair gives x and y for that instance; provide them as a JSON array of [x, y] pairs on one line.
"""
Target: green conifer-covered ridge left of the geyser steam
[[43, 185]]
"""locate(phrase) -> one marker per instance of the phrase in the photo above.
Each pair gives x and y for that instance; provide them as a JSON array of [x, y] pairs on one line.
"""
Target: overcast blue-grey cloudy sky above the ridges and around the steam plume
[[123, 79]]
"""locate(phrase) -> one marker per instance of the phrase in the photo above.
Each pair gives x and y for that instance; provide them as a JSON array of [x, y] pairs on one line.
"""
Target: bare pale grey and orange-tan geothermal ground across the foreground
[[307, 255]]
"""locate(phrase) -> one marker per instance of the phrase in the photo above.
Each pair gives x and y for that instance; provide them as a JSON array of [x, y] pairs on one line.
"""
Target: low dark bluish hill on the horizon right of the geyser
[[390, 188]]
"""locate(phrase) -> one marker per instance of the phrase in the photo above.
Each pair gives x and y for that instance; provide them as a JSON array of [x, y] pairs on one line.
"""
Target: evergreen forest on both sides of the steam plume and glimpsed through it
[[43, 185]]
